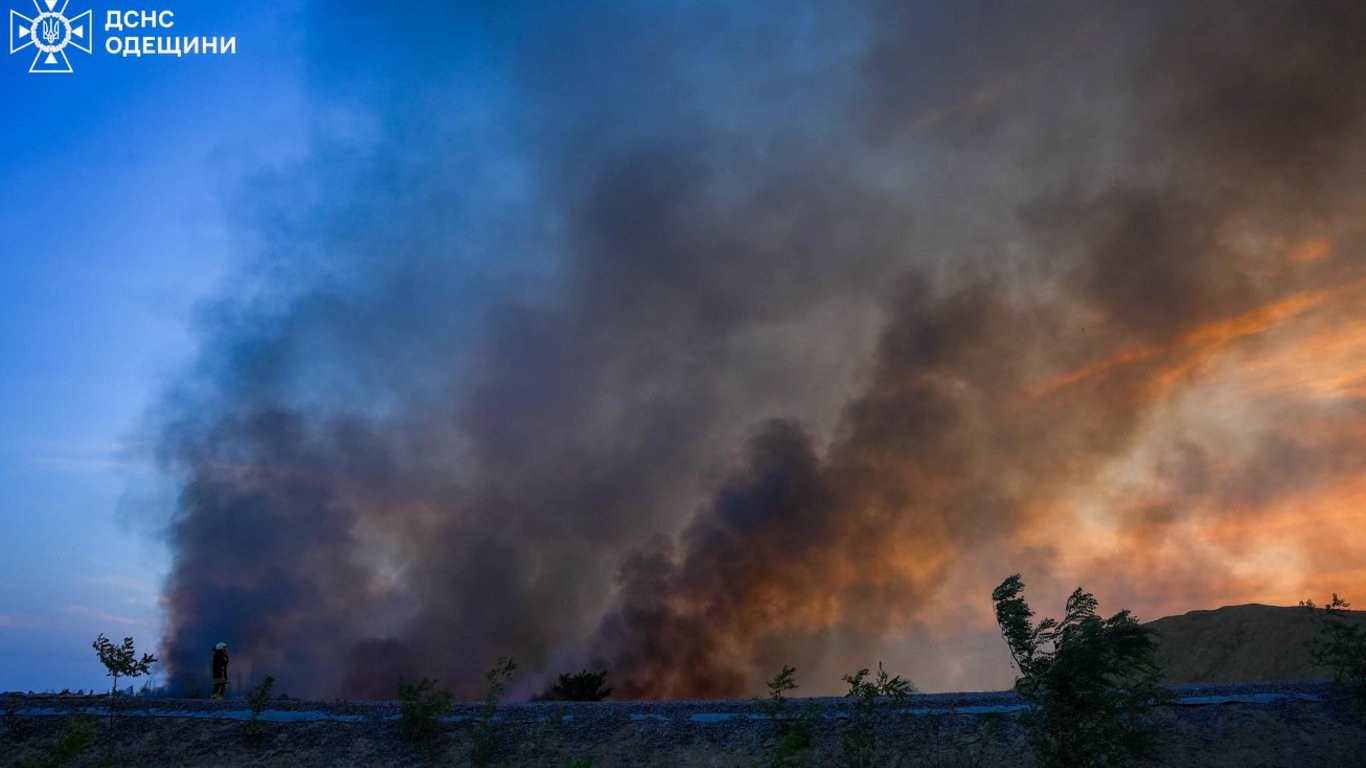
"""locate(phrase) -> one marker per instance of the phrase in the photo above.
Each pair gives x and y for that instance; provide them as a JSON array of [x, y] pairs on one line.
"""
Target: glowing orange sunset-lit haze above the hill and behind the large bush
[[1292, 374]]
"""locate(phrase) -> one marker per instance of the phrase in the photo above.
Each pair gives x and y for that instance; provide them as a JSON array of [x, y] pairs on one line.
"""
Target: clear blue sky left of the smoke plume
[[113, 193]]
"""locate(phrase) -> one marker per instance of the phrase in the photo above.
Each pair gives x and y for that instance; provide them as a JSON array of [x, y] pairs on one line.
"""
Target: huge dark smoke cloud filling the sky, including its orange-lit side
[[695, 340]]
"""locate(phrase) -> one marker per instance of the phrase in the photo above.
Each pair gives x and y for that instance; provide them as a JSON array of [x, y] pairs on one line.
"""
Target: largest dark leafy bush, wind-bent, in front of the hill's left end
[[1091, 683]]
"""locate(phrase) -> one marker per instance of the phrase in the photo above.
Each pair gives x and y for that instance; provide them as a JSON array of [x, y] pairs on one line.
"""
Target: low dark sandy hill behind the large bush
[[1241, 643]]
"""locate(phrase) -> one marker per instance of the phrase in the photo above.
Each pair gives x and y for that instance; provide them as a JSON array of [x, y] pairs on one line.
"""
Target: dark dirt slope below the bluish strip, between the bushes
[[1233, 736]]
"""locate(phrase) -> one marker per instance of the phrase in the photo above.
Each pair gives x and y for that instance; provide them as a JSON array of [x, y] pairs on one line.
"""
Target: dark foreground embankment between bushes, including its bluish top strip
[[1236, 726]]
